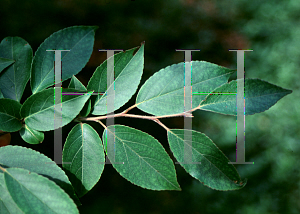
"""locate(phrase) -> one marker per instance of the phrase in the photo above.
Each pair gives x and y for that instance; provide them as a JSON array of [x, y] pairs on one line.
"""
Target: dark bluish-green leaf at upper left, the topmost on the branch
[[78, 39]]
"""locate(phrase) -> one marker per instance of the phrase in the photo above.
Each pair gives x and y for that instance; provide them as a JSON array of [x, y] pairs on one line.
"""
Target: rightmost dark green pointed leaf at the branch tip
[[259, 96]]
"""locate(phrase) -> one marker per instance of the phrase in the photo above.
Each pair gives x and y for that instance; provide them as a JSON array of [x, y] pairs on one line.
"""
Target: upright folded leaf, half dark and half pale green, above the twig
[[128, 69]]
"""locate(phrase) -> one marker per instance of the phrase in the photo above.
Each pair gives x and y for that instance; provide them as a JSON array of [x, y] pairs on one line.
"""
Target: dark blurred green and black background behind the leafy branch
[[270, 28]]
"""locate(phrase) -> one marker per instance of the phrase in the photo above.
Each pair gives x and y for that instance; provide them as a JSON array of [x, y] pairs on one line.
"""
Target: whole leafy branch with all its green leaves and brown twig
[[144, 161]]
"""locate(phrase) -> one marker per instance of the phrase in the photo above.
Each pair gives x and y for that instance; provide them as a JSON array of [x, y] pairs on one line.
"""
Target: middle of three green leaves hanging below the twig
[[146, 163]]
